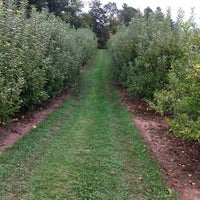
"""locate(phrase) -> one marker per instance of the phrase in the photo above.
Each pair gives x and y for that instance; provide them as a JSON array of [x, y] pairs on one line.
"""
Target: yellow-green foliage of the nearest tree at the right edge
[[181, 96]]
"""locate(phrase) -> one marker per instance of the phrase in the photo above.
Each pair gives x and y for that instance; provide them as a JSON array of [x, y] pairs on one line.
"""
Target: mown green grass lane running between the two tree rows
[[88, 149]]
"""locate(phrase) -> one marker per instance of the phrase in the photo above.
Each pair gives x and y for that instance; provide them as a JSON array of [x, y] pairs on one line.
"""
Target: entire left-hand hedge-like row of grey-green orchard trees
[[39, 57]]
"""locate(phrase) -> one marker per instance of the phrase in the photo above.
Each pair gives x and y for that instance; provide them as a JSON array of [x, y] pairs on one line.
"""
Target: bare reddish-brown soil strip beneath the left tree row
[[9, 134]]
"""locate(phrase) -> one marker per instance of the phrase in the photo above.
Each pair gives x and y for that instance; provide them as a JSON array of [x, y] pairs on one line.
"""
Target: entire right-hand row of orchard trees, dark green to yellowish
[[157, 60]]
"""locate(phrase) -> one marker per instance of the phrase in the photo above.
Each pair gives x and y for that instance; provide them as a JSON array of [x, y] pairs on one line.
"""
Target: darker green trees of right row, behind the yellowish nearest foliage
[[142, 54]]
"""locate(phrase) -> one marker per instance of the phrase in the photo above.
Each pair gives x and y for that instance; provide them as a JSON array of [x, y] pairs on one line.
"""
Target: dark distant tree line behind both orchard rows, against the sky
[[104, 20]]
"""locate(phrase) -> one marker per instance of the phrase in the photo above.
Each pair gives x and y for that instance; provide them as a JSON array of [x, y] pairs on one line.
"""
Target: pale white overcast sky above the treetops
[[186, 5]]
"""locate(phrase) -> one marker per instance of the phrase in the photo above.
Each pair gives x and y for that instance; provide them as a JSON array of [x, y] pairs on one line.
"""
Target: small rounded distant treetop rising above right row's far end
[[127, 13]]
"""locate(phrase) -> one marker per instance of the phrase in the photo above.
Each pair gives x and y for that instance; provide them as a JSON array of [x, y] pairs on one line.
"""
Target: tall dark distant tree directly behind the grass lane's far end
[[99, 23]]
